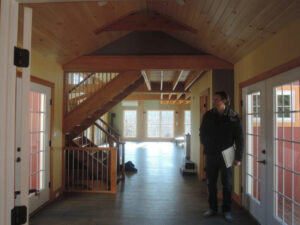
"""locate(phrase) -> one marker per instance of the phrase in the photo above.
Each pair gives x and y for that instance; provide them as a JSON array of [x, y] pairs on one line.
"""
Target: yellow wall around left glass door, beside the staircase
[[51, 71]]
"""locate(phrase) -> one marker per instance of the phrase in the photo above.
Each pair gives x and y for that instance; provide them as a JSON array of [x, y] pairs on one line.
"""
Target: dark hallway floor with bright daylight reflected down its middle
[[156, 195]]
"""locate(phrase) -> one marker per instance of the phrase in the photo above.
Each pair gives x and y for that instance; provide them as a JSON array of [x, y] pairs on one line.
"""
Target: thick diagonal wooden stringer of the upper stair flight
[[100, 102]]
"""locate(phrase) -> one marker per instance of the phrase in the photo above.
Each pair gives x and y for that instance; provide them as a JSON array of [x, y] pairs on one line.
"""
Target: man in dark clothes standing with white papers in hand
[[220, 129]]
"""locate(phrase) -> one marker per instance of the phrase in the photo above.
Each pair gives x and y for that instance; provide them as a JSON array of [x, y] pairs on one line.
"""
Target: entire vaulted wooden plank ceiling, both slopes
[[228, 29]]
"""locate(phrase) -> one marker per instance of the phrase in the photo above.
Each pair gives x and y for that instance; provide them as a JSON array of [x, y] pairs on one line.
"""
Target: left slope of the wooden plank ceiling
[[66, 29]]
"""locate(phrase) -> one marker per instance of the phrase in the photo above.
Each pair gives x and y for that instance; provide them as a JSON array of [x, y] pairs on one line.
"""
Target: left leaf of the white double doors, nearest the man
[[254, 168]]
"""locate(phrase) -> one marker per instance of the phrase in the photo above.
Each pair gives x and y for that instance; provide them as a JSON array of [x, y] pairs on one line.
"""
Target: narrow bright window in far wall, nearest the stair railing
[[130, 124]]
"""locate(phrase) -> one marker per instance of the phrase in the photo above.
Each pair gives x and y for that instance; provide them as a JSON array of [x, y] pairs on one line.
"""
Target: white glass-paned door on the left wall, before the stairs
[[39, 150]]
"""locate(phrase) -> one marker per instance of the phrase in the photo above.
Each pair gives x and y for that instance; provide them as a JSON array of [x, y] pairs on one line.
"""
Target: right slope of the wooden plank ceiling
[[222, 25]]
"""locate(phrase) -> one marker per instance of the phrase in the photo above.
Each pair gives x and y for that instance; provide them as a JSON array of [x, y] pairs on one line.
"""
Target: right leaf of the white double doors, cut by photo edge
[[284, 141]]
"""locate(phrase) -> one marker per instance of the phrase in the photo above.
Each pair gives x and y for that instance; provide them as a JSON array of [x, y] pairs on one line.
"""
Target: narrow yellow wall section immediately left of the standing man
[[203, 84]]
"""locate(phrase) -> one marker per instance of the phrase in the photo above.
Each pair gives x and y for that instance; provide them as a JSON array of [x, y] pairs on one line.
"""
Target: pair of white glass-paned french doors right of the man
[[272, 161]]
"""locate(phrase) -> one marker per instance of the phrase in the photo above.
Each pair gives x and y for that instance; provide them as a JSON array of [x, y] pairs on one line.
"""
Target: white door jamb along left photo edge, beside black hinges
[[8, 39]]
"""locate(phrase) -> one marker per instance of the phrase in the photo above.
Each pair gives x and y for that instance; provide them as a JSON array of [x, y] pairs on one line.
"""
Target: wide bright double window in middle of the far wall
[[160, 124]]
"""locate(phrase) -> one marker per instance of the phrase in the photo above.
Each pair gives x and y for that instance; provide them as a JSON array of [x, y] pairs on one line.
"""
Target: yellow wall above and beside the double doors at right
[[281, 48]]
